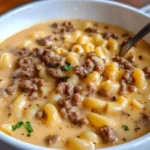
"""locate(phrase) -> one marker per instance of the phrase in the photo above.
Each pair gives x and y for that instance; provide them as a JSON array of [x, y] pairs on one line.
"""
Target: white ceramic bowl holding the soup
[[104, 11]]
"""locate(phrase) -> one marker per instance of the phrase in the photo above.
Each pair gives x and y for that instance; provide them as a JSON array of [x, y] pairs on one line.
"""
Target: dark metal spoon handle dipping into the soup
[[145, 30]]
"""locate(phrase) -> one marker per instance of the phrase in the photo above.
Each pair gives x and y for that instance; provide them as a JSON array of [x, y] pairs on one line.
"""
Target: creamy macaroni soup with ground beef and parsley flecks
[[63, 85]]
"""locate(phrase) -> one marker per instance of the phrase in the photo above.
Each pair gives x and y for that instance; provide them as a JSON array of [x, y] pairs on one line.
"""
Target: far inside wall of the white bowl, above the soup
[[104, 11]]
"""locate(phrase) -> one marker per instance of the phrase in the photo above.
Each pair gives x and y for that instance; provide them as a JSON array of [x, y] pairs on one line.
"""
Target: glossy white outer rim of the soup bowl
[[21, 144]]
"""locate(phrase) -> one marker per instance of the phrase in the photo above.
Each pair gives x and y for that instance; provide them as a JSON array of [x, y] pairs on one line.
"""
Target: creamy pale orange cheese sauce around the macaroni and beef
[[129, 116]]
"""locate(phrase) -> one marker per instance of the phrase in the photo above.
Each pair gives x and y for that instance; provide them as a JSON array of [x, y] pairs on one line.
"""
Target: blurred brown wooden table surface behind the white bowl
[[6, 5]]
